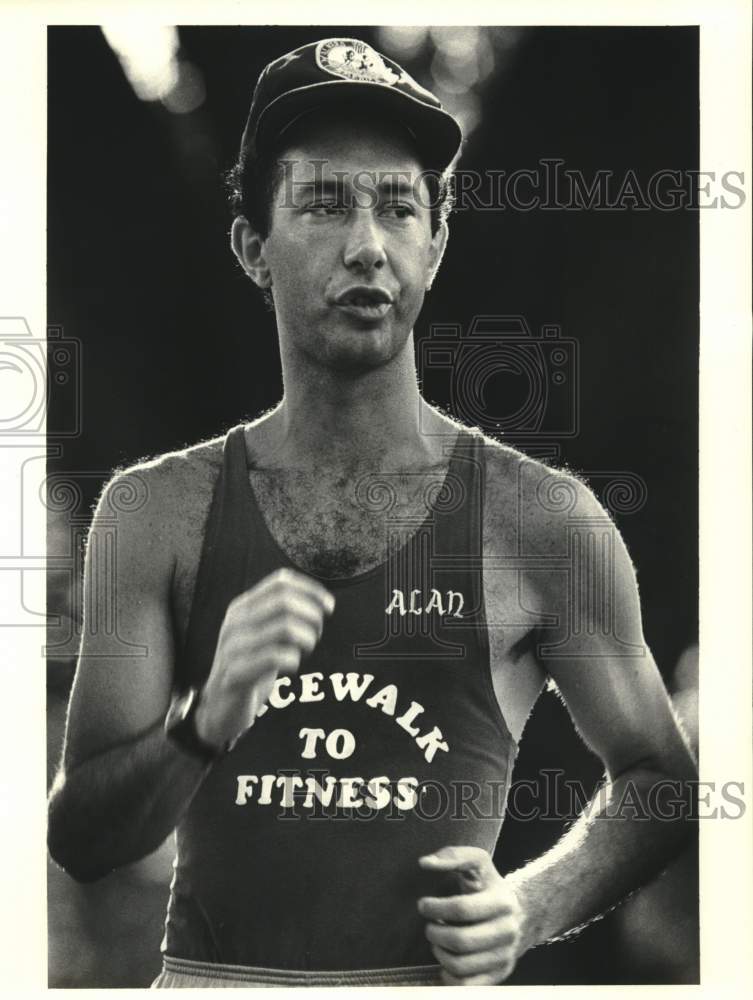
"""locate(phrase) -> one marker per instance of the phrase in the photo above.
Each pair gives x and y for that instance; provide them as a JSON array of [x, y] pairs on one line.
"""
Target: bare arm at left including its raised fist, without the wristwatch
[[123, 785]]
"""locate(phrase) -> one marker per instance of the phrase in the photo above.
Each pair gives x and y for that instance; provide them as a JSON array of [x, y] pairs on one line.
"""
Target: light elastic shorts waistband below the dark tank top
[[409, 975]]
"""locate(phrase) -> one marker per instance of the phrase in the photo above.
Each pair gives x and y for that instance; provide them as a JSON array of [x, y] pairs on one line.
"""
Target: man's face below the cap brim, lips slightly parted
[[350, 252]]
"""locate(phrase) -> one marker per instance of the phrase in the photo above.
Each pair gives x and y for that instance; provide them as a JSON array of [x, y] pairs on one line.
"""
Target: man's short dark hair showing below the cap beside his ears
[[252, 182]]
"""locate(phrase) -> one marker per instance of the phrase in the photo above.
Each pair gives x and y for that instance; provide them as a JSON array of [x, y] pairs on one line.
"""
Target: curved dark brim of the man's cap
[[438, 135]]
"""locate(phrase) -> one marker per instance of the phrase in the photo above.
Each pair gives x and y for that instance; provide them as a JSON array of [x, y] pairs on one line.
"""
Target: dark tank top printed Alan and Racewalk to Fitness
[[300, 848]]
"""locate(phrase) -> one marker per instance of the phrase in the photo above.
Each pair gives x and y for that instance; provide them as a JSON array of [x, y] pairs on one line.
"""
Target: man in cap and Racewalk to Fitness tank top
[[342, 613]]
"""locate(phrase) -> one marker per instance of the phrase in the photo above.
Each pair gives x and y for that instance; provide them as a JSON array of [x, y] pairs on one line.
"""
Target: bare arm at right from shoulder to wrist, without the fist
[[614, 692]]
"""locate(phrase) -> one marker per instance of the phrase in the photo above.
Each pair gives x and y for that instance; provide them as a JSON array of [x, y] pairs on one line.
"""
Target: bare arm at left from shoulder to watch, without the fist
[[122, 786]]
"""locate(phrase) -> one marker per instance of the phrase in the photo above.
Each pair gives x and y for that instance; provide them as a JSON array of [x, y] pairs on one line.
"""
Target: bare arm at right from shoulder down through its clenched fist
[[619, 704]]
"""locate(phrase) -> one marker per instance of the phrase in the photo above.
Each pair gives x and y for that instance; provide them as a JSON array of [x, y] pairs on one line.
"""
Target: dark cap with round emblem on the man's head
[[348, 70]]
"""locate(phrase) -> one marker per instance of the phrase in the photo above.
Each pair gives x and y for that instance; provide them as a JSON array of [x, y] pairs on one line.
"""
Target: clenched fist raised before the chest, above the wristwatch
[[265, 633]]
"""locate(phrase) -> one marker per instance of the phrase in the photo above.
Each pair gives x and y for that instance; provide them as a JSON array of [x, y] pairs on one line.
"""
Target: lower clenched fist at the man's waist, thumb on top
[[475, 935]]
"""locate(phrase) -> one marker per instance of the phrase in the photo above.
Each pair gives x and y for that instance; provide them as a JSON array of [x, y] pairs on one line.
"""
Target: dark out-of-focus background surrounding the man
[[176, 345]]
